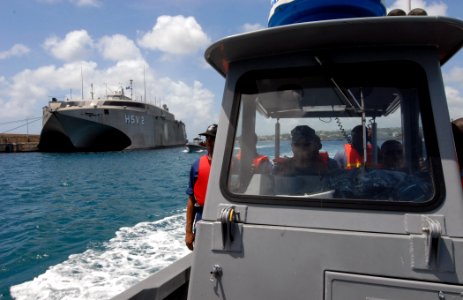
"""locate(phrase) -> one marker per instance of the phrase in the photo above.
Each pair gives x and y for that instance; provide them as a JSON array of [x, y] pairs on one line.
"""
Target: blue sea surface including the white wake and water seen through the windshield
[[91, 225]]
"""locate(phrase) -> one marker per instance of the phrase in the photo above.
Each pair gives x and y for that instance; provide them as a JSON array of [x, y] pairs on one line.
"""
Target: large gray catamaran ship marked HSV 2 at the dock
[[111, 124]]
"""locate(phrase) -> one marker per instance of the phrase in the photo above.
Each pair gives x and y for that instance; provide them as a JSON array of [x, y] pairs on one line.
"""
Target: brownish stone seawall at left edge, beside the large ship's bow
[[12, 142]]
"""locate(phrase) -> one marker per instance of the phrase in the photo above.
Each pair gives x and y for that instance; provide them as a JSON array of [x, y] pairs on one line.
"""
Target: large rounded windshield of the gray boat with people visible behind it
[[357, 133]]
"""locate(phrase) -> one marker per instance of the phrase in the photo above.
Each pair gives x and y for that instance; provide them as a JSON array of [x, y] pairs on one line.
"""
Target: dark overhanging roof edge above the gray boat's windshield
[[444, 34]]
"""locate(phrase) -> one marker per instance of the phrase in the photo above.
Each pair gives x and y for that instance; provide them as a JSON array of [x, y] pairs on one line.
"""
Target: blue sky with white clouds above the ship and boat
[[48, 46]]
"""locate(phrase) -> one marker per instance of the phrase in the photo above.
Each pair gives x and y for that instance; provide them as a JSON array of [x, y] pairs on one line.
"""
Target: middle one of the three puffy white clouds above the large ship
[[118, 47]]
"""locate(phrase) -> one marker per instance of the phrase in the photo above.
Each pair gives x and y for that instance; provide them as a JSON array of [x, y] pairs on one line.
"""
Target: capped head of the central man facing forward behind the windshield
[[305, 142]]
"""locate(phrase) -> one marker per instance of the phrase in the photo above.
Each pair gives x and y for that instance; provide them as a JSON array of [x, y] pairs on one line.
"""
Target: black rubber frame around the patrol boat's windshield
[[429, 134]]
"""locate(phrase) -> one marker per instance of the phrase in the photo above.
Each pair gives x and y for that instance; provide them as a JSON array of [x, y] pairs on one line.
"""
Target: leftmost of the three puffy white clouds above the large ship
[[77, 45]]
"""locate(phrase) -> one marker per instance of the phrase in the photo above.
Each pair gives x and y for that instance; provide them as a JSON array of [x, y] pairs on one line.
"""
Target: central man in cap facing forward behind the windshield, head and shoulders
[[307, 159]]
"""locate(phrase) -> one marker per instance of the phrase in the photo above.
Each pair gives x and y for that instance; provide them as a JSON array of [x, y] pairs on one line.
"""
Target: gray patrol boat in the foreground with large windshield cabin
[[368, 232]]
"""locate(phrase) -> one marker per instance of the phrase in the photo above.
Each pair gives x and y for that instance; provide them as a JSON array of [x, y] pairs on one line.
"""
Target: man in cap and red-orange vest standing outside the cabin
[[199, 176]]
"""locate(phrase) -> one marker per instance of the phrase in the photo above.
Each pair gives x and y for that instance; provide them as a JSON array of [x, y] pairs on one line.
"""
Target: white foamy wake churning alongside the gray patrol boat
[[133, 255]]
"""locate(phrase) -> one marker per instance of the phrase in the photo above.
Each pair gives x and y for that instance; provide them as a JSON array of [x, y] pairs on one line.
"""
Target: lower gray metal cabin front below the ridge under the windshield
[[289, 262]]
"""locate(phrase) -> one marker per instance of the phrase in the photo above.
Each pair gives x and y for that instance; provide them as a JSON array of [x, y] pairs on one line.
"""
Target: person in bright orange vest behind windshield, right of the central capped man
[[352, 156]]
